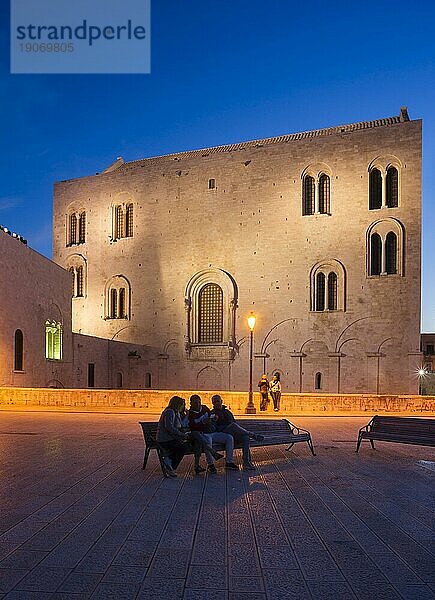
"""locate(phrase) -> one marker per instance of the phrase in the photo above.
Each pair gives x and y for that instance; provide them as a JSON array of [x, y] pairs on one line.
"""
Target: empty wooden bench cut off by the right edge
[[403, 430]]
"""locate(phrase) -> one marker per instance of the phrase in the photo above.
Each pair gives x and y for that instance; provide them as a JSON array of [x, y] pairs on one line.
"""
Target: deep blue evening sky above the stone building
[[221, 72]]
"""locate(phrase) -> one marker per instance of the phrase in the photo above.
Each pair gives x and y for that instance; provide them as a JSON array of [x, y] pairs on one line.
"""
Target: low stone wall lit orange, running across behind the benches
[[153, 401]]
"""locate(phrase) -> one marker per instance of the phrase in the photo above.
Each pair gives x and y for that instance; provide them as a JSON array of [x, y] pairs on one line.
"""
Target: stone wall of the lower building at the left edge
[[34, 290]]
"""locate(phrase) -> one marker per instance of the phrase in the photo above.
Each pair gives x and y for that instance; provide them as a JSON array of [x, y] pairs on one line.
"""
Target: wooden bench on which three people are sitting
[[275, 431]]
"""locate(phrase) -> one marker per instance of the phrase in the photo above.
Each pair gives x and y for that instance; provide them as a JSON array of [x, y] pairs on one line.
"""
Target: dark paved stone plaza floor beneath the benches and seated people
[[80, 519]]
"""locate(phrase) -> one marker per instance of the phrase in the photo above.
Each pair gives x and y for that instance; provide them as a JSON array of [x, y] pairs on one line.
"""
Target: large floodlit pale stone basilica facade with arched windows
[[317, 233]]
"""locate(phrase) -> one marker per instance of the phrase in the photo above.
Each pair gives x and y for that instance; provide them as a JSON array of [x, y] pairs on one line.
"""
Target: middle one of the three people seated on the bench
[[199, 420]]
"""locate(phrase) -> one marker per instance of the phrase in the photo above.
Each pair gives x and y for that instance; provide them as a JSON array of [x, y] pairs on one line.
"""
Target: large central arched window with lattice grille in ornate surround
[[210, 314]]
